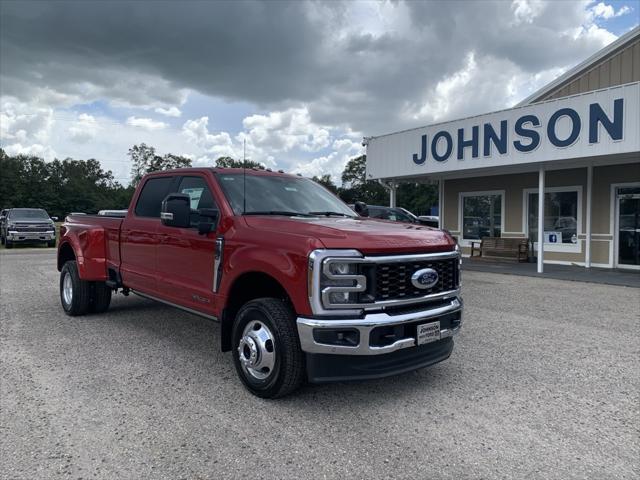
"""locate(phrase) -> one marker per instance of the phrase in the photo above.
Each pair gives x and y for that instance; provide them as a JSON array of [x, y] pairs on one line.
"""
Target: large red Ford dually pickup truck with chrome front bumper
[[304, 288]]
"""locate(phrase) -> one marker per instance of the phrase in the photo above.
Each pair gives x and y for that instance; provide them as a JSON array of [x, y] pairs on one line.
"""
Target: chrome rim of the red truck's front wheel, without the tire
[[256, 350]]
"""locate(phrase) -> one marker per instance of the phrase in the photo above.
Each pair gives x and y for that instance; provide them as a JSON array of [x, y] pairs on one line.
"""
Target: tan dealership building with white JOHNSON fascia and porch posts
[[577, 140]]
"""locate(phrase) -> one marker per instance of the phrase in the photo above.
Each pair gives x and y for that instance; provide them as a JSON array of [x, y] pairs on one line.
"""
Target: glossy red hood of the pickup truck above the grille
[[366, 235]]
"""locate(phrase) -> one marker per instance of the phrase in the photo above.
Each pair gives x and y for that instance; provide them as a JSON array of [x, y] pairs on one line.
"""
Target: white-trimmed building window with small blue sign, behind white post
[[561, 218]]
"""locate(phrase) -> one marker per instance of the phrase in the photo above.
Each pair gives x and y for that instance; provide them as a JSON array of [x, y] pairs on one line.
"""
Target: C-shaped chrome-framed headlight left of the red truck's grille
[[336, 280]]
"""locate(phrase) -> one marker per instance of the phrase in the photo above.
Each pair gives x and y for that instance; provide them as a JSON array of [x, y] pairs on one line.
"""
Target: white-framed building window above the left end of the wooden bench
[[482, 215]]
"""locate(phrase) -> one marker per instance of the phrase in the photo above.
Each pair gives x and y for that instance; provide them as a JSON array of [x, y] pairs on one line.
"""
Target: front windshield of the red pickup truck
[[271, 193]]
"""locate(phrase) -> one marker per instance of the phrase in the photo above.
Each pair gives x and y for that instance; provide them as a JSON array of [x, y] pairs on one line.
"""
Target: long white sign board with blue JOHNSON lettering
[[602, 122]]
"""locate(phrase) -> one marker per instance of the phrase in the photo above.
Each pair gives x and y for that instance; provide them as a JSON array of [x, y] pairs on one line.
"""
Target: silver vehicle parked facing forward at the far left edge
[[27, 225]]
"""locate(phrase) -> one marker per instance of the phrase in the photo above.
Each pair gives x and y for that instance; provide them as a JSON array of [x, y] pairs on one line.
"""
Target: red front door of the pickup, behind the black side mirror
[[185, 258]]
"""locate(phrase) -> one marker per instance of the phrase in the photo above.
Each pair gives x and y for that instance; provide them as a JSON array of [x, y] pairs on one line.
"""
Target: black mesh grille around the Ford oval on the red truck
[[393, 280]]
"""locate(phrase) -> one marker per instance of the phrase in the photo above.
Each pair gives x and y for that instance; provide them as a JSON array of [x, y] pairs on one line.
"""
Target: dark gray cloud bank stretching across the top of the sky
[[375, 74]]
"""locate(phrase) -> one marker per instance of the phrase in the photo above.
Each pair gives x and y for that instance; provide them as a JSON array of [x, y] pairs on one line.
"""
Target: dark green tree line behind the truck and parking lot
[[69, 185]]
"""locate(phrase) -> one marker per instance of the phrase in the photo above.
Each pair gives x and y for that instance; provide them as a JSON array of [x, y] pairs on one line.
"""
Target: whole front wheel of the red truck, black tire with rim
[[265, 336]]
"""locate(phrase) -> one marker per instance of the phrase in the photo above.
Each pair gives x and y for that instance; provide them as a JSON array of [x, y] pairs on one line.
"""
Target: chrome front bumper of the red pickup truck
[[365, 325]]
